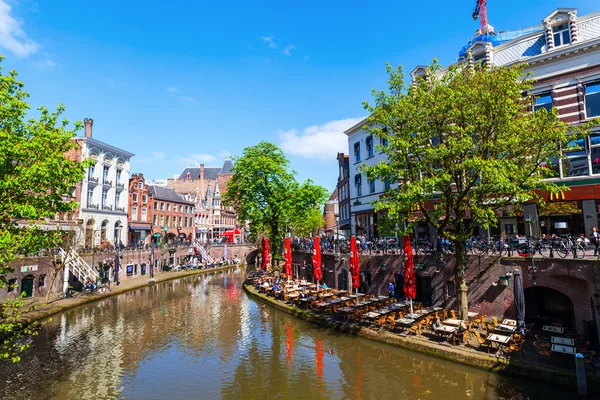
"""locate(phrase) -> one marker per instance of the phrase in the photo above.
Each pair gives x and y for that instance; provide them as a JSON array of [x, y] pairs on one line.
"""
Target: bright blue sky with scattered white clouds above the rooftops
[[185, 82]]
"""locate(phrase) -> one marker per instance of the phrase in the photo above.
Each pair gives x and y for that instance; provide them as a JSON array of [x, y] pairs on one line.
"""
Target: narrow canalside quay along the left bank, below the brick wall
[[58, 304]]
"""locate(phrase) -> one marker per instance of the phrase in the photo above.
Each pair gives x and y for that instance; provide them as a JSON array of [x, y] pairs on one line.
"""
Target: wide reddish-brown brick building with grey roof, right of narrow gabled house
[[172, 214]]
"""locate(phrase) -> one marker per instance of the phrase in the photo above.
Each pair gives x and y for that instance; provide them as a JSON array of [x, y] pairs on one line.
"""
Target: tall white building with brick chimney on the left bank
[[104, 190]]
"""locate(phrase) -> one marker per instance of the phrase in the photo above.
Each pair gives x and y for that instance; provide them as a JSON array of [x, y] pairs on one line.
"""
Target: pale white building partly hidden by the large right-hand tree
[[362, 148]]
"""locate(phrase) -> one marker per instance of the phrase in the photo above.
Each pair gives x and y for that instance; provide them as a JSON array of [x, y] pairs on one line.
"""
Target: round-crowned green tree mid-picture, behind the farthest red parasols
[[265, 192]]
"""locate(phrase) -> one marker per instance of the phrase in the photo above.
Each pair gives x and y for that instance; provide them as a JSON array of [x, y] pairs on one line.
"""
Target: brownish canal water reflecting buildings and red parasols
[[202, 338]]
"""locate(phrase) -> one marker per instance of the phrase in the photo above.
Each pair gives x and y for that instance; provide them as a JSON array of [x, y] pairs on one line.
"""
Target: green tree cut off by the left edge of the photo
[[35, 180]]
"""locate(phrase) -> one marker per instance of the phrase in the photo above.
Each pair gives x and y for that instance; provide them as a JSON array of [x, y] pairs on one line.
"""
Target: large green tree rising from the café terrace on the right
[[461, 144]]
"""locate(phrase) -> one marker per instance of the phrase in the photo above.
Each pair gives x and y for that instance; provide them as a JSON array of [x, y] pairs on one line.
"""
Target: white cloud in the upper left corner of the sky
[[12, 36]]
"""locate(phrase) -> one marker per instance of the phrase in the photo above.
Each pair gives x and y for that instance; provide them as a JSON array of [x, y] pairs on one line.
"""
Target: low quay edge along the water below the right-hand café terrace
[[462, 355]]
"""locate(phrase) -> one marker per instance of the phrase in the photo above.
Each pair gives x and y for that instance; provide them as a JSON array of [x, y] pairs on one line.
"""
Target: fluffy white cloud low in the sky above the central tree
[[319, 141]]
